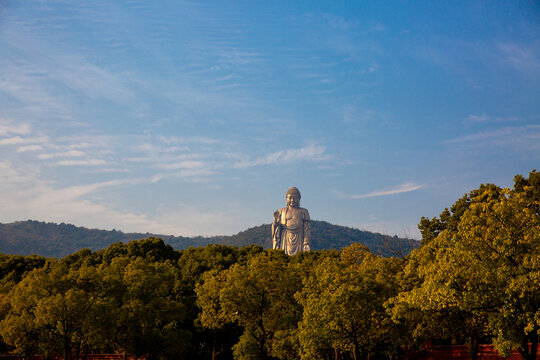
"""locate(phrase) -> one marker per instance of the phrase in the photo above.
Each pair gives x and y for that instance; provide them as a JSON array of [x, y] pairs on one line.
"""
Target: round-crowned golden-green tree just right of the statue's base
[[343, 303]]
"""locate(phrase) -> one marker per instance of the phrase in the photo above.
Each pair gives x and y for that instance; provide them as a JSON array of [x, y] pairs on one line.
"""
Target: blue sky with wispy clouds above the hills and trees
[[193, 118]]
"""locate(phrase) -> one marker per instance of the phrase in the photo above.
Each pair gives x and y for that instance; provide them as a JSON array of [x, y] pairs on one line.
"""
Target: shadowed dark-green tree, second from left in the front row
[[148, 311]]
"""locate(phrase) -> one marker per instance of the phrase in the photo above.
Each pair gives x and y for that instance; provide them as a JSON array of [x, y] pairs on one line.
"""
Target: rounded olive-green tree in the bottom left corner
[[53, 309]]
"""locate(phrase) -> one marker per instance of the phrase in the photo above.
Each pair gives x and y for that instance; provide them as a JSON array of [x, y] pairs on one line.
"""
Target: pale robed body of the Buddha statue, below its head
[[292, 232]]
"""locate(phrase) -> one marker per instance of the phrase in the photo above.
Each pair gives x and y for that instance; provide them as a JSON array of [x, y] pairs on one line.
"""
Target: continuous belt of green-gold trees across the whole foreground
[[475, 279]]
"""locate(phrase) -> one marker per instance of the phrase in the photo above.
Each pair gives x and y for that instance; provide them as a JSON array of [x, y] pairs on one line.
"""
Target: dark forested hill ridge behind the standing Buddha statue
[[59, 240]]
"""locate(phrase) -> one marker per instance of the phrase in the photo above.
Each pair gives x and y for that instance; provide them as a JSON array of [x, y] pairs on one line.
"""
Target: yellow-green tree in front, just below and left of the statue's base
[[258, 296]]
